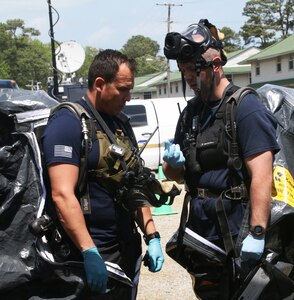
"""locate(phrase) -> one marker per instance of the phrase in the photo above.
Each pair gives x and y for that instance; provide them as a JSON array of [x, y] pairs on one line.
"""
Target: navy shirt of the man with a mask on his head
[[256, 131]]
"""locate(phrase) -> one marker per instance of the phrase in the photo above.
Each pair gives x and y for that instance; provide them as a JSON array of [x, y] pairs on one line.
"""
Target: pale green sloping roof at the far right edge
[[283, 47]]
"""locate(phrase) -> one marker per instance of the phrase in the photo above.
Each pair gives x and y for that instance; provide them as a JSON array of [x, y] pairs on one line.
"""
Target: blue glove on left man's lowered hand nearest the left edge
[[96, 272]]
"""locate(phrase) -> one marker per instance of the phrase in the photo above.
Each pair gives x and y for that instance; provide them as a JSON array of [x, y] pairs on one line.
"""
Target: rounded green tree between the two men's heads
[[144, 51]]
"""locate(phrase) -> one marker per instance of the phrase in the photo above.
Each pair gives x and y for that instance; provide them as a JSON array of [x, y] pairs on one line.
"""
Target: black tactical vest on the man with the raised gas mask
[[213, 145]]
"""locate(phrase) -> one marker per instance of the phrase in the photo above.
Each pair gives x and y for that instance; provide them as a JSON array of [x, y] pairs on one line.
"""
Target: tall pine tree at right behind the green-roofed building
[[267, 19]]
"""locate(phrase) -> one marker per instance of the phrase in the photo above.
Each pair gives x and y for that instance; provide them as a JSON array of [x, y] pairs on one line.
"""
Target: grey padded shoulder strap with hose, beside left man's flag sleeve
[[82, 186]]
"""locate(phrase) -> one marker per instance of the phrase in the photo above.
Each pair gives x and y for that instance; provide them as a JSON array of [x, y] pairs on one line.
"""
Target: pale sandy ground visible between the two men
[[172, 282]]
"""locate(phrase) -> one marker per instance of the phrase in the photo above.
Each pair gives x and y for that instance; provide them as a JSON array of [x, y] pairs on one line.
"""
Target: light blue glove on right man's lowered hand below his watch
[[252, 248]]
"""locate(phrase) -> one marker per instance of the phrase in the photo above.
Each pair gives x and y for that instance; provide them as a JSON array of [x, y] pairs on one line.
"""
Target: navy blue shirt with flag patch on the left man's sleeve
[[107, 223]]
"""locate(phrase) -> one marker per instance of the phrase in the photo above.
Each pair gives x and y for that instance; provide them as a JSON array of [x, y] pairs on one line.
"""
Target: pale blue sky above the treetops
[[110, 23]]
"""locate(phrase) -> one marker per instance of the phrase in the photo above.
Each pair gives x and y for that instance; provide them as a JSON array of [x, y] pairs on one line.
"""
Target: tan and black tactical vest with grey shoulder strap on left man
[[116, 157]]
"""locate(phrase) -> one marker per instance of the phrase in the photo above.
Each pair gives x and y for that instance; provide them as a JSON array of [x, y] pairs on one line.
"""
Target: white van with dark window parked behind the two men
[[154, 116]]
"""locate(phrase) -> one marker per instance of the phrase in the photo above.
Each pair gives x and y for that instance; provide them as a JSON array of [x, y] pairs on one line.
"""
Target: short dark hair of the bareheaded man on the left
[[106, 64]]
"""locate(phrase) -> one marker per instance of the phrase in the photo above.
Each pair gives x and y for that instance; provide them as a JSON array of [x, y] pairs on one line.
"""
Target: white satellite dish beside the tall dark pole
[[70, 57]]
